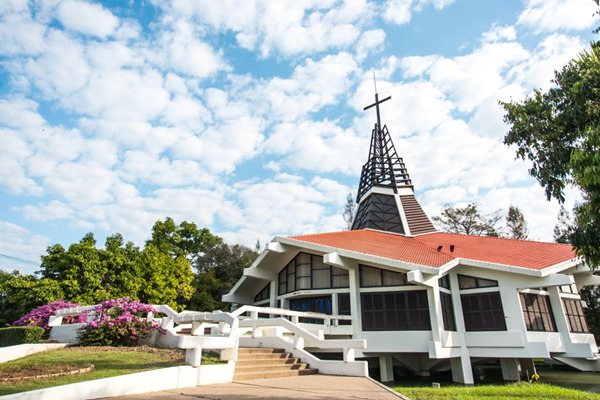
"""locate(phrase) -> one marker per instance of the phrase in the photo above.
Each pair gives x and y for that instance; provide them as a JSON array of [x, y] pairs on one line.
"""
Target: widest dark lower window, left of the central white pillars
[[395, 311]]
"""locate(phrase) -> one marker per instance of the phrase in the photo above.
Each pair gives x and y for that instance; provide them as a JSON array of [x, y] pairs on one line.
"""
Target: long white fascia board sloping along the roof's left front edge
[[367, 258]]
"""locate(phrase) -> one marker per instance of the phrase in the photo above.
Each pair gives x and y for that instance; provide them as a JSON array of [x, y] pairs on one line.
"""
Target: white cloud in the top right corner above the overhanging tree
[[552, 15]]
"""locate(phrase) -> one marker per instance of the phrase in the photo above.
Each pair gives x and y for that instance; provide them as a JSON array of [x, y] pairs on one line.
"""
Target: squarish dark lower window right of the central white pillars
[[483, 312]]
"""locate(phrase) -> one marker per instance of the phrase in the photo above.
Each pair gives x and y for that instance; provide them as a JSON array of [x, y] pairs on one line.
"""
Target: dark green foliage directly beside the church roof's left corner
[[218, 269]]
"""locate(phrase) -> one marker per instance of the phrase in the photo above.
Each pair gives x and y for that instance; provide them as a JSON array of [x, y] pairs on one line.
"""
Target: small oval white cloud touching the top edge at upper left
[[86, 18]]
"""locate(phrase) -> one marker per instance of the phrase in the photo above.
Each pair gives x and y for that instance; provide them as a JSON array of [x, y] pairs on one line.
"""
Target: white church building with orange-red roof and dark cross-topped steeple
[[426, 300]]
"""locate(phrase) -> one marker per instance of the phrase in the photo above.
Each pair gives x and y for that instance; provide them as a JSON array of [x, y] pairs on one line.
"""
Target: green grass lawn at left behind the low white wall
[[107, 362]]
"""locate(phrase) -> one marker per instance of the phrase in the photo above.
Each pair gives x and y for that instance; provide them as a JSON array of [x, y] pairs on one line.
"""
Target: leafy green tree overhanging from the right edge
[[559, 132]]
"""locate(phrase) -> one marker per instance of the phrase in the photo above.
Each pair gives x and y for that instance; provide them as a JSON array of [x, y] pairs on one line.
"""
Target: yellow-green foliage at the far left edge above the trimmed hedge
[[19, 294]]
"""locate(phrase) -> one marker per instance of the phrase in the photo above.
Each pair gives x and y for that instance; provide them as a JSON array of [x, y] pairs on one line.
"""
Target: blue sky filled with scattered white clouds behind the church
[[246, 116]]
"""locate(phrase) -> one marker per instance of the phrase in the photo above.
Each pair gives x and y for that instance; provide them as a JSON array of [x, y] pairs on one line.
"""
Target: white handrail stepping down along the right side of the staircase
[[301, 336]]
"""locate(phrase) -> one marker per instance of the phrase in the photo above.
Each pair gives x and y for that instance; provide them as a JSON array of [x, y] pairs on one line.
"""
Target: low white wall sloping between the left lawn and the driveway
[[141, 382]]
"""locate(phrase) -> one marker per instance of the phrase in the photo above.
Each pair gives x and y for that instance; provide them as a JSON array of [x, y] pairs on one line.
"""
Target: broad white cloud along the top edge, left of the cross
[[289, 28]]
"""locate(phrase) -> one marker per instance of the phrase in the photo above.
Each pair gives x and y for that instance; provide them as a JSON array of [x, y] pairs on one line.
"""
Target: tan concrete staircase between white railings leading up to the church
[[261, 363]]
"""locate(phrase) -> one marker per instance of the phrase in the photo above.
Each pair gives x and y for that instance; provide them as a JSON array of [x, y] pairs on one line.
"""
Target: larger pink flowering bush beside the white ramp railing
[[118, 323]]
